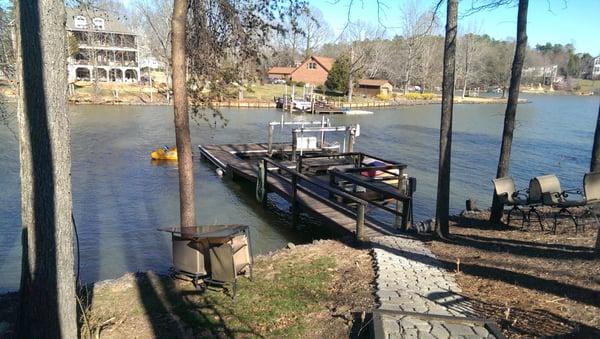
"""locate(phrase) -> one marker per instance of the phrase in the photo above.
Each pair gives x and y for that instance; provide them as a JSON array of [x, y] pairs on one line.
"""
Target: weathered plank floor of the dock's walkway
[[226, 157]]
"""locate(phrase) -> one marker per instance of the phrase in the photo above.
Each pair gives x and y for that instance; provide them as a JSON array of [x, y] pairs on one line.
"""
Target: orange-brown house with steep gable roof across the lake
[[313, 70]]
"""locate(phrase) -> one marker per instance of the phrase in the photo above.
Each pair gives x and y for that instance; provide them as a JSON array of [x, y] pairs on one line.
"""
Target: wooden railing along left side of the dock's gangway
[[295, 185]]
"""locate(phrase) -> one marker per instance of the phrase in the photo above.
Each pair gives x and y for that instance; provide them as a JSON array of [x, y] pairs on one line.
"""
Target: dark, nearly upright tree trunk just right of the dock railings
[[443, 189]]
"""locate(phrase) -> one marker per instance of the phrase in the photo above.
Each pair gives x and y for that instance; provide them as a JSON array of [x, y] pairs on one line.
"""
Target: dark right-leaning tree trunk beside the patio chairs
[[511, 106]]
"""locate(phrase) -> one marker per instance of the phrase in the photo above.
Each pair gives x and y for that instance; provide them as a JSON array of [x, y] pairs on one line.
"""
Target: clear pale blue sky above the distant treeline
[[555, 21]]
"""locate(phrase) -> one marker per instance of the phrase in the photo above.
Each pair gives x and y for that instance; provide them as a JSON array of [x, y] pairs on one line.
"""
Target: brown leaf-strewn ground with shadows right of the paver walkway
[[533, 283]]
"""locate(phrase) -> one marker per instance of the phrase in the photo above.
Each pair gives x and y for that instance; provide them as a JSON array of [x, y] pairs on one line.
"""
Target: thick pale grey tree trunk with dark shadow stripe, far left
[[47, 292]]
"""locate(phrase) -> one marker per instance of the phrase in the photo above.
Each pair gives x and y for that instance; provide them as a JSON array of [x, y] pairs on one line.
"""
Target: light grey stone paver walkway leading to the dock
[[418, 299]]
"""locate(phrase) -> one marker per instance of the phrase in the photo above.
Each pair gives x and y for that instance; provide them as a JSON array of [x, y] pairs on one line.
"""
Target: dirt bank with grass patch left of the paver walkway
[[319, 290]]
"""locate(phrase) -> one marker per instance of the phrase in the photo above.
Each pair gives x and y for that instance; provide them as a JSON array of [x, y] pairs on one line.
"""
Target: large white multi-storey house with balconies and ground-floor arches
[[107, 50]]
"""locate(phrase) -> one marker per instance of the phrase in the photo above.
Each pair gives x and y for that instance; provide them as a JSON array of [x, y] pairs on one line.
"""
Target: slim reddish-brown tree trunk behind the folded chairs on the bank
[[182, 121]]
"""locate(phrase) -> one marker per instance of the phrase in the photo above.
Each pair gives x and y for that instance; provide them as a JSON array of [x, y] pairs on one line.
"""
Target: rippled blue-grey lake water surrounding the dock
[[120, 197]]
